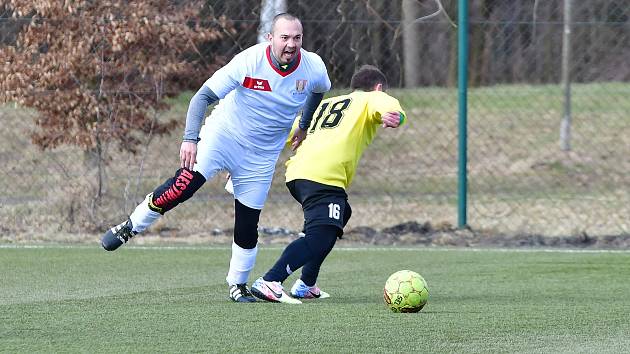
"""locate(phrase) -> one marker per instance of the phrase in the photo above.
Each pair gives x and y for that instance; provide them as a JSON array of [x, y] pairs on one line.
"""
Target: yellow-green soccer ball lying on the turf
[[406, 291]]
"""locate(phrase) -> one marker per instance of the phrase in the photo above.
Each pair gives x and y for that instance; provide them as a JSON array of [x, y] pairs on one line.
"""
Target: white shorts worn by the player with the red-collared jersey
[[251, 169]]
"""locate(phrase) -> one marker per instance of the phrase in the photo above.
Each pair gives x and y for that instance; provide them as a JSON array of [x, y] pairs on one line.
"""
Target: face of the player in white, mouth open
[[286, 40]]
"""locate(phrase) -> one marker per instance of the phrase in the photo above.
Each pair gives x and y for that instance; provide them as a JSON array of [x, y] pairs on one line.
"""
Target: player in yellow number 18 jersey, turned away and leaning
[[318, 175]]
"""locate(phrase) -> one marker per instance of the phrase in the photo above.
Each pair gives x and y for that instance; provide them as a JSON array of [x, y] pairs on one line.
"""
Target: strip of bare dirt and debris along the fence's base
[[404, 234]]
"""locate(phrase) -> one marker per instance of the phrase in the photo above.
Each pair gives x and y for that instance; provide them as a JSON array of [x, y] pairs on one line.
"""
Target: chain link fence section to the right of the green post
[[545, 151]]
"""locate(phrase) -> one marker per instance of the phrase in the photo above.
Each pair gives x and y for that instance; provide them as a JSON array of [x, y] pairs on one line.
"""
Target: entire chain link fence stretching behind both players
[[528, 172]]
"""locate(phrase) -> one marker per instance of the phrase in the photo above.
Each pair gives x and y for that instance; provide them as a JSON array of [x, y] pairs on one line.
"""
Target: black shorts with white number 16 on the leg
[[322, 204]]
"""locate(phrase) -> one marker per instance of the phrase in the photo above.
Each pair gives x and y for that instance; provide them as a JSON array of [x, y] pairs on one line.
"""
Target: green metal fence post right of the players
[[462, 76]]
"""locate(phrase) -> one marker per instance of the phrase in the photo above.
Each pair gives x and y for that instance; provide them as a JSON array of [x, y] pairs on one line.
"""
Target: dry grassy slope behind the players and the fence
[[519, 180]]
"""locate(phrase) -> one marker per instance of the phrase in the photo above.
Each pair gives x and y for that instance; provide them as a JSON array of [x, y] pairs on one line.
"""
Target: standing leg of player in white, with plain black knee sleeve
[[251, 179]]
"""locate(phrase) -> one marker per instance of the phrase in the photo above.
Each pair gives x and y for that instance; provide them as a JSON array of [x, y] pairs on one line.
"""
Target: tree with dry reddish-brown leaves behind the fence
[[97, 72]]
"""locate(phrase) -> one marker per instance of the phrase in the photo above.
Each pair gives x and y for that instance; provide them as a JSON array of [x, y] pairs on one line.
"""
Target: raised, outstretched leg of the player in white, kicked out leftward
[[171, 193]]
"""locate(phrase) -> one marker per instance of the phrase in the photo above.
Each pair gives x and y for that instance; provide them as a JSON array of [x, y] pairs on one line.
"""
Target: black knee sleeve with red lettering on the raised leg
[[176, 190]]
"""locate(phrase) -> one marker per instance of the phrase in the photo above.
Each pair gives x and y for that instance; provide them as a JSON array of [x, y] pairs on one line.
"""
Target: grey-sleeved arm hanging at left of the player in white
[[194, 117]]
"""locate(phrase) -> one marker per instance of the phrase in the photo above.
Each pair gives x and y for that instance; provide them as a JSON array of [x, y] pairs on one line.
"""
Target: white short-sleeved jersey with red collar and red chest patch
[[258, 101]]
